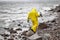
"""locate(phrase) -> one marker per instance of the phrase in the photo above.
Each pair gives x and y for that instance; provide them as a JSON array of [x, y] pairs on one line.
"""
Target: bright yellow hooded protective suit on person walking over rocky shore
[[33, 15]]
